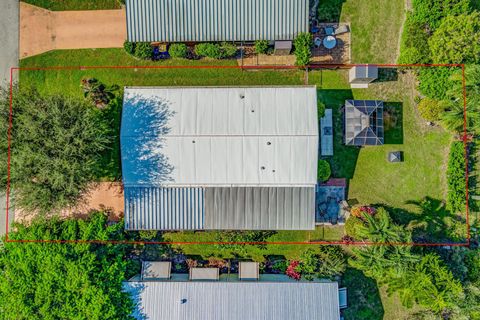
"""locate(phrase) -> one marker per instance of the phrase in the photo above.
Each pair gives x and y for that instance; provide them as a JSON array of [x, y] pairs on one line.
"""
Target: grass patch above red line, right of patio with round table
[[376, 29]]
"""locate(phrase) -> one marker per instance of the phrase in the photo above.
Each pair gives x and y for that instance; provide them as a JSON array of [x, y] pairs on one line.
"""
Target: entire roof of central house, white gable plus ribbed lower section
[[220, 158]]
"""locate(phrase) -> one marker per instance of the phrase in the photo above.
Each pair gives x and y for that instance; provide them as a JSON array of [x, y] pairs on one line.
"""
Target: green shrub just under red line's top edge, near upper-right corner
[[435, 82]]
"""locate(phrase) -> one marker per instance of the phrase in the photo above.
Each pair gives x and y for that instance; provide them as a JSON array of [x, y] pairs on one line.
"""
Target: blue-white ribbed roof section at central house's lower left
[[150, 208]]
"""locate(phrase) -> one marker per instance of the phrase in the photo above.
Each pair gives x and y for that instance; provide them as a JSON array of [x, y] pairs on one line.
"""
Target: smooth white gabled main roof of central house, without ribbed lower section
[[220, 136]]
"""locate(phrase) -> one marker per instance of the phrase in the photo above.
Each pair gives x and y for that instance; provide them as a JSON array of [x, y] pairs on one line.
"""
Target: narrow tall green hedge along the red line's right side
[[456, 196]]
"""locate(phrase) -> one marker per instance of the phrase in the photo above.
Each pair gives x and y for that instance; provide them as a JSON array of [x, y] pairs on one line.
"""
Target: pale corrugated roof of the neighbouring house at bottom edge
[[235, 300]]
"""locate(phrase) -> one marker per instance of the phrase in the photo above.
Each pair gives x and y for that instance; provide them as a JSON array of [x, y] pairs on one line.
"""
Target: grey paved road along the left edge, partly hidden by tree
[[9, 26]]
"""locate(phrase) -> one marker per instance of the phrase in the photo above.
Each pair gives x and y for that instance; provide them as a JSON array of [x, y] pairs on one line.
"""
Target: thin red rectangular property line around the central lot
[[317, 66]]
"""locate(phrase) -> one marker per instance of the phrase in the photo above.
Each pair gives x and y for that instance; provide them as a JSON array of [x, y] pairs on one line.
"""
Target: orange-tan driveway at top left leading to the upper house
[[43, 30]]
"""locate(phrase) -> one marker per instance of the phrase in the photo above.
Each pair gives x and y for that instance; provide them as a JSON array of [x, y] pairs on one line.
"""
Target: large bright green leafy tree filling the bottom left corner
[[64, 280]]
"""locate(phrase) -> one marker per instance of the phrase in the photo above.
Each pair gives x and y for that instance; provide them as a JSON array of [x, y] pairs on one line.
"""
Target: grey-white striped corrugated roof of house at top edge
[[215, 20]]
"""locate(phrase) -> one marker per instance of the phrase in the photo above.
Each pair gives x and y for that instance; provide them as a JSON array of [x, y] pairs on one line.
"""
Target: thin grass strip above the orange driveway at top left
[[61, 5]]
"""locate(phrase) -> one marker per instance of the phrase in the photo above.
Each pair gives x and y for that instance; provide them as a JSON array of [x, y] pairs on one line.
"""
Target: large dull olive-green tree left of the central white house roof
[[56, 142]]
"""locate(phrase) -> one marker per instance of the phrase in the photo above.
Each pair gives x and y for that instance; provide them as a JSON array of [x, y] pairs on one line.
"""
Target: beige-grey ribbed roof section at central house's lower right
[[266, 208]]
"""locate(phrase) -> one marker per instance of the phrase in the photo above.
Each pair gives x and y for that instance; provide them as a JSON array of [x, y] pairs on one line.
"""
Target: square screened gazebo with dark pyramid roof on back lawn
[[363, 122]]
